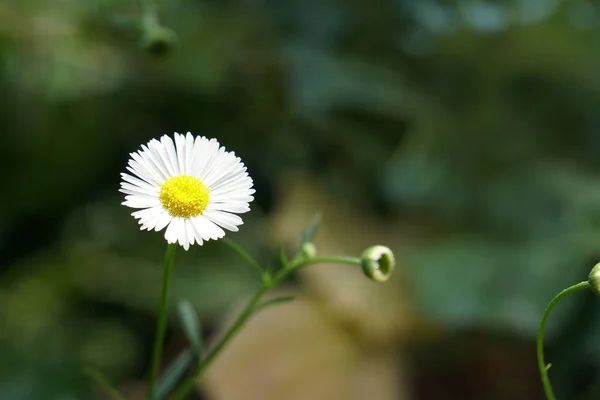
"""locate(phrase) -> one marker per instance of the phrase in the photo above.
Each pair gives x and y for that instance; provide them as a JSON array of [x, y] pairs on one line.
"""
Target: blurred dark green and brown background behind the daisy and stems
[[463, 134]]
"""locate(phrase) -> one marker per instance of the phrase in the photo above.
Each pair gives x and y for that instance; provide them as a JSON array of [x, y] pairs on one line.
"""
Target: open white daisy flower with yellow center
[[193, 187]]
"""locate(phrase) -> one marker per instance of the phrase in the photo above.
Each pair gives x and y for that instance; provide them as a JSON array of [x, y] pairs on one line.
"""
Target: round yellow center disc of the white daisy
[[184, 196]]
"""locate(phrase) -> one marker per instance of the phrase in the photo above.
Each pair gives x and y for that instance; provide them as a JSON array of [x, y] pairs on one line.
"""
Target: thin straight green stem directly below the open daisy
[[161, 322]]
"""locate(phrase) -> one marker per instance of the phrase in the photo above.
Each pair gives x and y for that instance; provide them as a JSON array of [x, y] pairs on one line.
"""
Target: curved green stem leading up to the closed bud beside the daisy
[[247, 312]]
